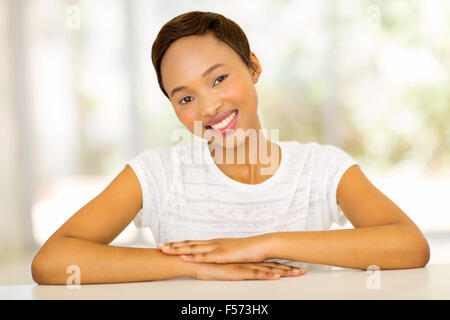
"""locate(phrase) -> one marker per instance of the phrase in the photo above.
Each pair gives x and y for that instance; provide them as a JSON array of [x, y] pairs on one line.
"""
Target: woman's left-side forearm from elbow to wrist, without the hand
[[102, 263]]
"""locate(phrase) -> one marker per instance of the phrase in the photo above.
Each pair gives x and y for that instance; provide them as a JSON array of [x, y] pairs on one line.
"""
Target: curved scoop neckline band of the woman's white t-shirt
[[244, 186]]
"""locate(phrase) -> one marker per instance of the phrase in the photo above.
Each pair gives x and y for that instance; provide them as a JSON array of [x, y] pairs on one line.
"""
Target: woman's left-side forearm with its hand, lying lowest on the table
[[99, 263]]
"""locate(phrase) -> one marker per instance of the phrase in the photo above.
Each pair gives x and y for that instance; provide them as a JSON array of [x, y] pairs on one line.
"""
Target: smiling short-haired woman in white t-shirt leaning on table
[[233, 220]]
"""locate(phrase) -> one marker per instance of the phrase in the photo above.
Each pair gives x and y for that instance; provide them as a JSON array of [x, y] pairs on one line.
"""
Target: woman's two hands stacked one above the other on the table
[[248, 252]]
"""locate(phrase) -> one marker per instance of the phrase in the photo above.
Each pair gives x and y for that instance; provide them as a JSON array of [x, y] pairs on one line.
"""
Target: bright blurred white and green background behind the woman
[[79, 97]]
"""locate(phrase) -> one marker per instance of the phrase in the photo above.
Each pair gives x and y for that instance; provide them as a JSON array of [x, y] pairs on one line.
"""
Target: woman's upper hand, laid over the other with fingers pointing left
[[226, 250]]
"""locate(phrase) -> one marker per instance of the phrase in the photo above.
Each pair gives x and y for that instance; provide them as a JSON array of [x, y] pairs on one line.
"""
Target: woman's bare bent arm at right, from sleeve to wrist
[[383, 236]]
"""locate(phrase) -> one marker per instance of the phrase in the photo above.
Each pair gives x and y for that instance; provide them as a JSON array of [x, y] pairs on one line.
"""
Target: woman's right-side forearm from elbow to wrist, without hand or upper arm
[[393, 246]]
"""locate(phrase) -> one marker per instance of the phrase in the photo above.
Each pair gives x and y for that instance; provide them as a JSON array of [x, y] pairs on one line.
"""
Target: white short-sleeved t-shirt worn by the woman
[[187, 197]]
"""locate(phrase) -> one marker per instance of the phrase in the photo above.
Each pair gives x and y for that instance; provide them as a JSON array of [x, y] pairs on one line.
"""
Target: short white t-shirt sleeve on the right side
[[333, 162]]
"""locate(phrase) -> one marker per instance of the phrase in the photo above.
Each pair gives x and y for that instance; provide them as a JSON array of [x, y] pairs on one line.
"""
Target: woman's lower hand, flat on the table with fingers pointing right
[[246, 271]]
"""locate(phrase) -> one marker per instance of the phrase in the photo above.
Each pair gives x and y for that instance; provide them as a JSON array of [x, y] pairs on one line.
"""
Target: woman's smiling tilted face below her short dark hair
[[202, 96]]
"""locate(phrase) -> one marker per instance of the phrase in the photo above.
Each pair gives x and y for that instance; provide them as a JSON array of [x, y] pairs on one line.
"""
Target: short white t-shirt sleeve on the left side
[[151, 173]]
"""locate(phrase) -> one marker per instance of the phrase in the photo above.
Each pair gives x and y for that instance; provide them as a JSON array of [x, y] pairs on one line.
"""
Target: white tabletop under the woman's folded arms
[[431, 282]]
